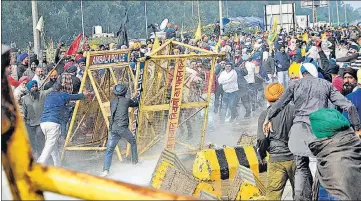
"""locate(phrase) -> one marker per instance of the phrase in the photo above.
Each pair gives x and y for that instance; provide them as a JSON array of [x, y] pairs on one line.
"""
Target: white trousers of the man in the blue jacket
[[52, 132]]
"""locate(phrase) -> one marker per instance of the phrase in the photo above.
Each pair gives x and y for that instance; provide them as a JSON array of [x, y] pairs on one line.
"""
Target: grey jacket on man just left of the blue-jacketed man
[[33, 109]]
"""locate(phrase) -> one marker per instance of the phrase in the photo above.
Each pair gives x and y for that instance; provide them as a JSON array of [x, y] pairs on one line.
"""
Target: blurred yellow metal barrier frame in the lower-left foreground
[[28, 179]]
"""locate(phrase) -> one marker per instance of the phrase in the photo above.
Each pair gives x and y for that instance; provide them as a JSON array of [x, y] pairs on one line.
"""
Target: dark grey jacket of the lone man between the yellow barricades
[[119, 117]]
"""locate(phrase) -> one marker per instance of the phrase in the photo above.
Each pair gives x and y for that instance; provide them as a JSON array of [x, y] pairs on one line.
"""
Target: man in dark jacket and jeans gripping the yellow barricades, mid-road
[[119, 126]]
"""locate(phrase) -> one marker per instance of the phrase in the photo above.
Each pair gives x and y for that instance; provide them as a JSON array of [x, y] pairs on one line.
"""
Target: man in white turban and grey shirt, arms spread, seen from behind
[[308, 94]]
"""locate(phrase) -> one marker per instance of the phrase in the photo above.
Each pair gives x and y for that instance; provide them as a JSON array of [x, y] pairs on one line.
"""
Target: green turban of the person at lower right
[[328, 122]]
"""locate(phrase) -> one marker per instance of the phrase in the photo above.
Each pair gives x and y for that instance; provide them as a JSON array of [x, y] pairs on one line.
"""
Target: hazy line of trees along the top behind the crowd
[[62, 19]]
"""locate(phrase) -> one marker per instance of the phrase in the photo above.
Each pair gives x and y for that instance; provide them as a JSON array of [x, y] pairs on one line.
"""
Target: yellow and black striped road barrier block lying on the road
[[221, 164]]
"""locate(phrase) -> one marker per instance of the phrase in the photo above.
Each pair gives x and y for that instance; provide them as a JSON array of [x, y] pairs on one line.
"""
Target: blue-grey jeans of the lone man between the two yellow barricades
[[113, 139]]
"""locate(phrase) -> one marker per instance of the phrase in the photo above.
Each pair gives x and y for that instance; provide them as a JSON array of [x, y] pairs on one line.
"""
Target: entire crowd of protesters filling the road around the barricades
[[310, 78]]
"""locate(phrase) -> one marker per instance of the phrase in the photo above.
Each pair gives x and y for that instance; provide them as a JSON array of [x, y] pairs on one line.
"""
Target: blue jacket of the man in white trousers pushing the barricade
[[55, 105]]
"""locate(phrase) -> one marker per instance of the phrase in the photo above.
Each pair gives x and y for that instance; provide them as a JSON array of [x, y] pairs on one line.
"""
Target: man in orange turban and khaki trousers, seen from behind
[[281, 166]]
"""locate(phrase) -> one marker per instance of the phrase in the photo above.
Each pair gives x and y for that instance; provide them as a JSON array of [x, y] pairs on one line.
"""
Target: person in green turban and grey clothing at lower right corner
[[336, 148]]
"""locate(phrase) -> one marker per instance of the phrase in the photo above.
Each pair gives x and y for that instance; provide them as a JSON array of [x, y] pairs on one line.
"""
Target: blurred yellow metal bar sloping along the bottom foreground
[[84, 186]]
